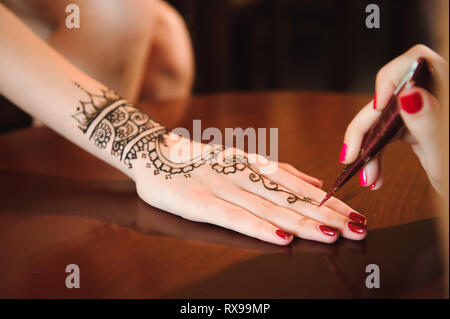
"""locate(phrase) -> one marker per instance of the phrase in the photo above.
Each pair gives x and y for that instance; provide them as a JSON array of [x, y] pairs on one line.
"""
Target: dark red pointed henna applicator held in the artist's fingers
[[386, 127]]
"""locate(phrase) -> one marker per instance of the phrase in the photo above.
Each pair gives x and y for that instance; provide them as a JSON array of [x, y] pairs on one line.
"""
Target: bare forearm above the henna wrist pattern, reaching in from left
[[44, 84]]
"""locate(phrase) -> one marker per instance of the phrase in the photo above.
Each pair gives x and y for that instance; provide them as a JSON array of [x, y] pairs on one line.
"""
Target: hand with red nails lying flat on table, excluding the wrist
[[228, 189]]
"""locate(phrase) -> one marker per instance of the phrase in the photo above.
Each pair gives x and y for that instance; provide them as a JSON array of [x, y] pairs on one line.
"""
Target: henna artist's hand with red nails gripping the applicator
[[420, 111]]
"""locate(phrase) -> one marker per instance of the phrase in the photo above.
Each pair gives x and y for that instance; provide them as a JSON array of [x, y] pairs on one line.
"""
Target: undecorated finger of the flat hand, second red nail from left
[[286, 219]]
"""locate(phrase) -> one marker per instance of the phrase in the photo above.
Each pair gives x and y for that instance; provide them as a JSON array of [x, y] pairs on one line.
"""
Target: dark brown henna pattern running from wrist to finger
[[119, 127]]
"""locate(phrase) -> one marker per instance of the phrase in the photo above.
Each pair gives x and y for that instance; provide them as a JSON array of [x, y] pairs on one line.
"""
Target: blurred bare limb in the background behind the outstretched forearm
[[153, 56]]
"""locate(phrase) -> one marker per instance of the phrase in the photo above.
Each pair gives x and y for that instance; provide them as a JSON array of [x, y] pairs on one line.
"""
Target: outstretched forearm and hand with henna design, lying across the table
[[212, 184]]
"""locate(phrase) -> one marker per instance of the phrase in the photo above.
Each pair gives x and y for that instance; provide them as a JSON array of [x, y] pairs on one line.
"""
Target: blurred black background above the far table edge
[[291, 44]]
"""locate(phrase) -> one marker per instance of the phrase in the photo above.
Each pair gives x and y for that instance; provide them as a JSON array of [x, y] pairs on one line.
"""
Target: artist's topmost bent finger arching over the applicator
[[392, 73]]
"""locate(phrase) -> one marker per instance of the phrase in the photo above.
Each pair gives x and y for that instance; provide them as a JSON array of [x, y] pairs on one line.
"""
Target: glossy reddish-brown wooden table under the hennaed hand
[[60, 206]]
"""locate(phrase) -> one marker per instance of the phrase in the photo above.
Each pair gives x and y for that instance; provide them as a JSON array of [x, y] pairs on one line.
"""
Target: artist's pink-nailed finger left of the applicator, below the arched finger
[[356, 130]]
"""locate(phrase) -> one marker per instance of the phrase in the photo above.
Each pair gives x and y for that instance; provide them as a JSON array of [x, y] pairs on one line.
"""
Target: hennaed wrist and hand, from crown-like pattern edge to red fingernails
[[212, 184]]
